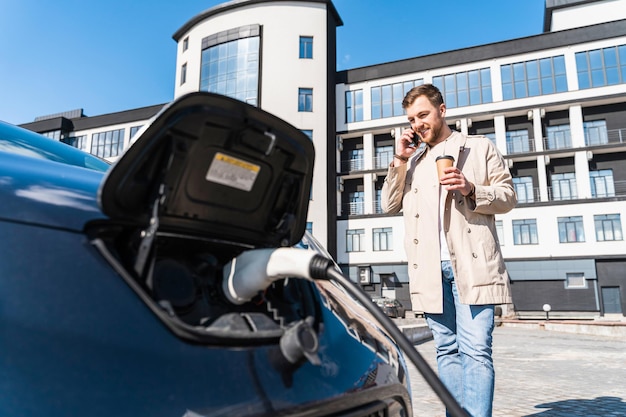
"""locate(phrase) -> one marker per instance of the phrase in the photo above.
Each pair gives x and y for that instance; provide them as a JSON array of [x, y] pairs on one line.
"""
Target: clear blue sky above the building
[[106, 56]]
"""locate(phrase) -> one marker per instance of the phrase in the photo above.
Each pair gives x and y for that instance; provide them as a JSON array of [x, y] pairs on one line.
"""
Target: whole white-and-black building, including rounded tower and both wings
[[554, 104]]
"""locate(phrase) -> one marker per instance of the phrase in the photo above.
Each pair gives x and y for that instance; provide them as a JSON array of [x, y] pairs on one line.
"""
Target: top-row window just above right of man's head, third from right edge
[[465, 88]]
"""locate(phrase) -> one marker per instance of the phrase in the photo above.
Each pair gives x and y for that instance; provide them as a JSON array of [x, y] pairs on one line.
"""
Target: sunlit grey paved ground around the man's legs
[[545, 374]]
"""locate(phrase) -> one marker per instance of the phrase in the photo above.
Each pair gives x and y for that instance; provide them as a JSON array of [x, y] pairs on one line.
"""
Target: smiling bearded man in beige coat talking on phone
[[456, 270]]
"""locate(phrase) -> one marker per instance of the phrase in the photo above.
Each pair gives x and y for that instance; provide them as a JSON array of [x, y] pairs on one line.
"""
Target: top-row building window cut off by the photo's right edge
[[600, 67]]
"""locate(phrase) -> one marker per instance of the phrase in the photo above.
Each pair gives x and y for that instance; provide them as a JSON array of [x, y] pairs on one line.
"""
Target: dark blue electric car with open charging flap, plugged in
[[171, 283]]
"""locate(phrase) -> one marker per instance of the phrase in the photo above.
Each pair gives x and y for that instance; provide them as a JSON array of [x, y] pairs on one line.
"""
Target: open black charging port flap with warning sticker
[[211, 166]]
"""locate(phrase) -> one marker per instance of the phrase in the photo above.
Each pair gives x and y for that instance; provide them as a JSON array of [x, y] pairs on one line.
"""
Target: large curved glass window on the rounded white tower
[[231, 67]]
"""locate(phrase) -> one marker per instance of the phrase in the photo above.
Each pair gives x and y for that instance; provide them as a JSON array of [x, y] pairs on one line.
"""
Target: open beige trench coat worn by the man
[[469, 223]]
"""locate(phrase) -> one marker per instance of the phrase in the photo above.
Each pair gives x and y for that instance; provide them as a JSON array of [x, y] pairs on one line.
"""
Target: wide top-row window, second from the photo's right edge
[[534, 78]]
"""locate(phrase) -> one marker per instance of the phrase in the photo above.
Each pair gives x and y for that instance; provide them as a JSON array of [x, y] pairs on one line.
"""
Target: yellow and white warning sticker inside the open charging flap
[[232, 172]]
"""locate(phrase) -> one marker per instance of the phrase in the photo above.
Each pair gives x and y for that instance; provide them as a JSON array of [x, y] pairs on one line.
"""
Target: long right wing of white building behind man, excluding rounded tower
[[554, 105]]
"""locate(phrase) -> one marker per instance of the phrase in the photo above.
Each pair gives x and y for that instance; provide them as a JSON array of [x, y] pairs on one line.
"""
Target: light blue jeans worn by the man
[[463, 338]]
